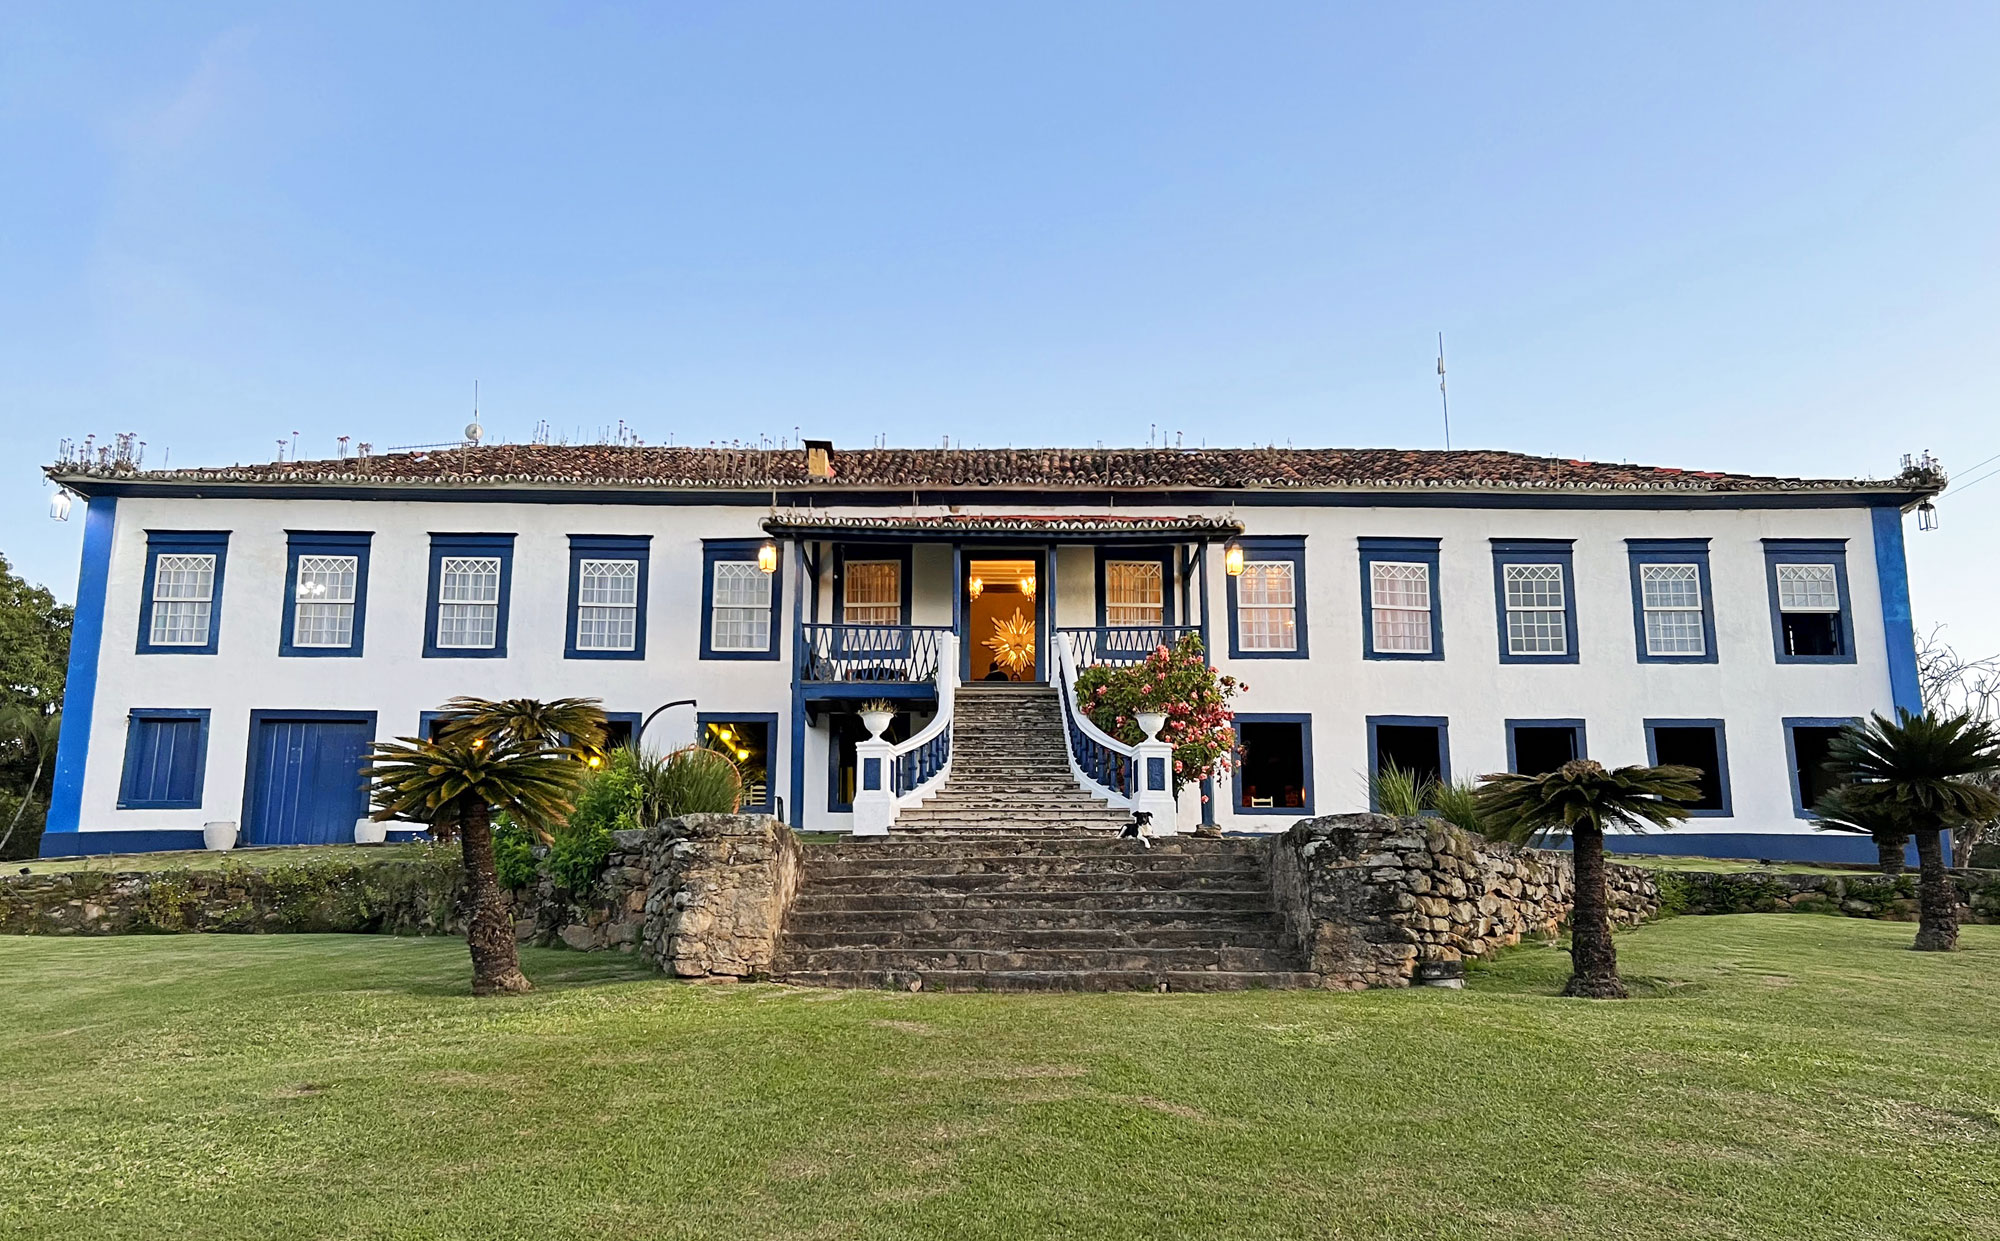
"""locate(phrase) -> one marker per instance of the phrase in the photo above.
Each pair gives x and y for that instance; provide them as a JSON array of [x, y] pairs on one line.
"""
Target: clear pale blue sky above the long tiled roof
[[1721, 237]]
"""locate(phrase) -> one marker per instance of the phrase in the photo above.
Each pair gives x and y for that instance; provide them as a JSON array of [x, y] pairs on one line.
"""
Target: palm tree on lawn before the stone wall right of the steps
[[1581, 800]]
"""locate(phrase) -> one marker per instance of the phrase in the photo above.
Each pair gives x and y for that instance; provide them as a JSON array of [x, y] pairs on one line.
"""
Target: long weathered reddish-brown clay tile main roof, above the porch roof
[[875, 469]]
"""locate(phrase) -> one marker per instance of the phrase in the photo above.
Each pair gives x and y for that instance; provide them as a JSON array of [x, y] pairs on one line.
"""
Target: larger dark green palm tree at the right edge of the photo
[[1921, 772]]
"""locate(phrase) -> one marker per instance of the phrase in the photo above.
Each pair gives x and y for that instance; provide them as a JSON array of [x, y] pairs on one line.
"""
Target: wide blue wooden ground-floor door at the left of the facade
[[307, 782]]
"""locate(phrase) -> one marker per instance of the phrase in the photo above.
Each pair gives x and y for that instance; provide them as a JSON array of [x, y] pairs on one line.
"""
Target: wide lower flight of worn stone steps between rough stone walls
[[1037, 912]]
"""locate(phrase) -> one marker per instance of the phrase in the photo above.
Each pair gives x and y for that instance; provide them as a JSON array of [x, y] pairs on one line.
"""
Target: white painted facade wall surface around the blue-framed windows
[[1609, 688]]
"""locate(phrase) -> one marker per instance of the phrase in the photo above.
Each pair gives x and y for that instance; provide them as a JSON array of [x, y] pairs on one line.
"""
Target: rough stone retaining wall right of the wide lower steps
[[1371, 898]]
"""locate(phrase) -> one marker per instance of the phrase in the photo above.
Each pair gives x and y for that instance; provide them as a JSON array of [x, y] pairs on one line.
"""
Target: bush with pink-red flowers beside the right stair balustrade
[[1181, 686]]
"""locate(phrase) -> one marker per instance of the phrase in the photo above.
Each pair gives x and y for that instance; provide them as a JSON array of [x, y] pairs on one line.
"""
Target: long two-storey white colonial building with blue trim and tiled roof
[[245, 634]]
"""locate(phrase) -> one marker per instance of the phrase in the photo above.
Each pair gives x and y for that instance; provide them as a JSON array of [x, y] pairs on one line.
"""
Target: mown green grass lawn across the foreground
[[1777, 1078]]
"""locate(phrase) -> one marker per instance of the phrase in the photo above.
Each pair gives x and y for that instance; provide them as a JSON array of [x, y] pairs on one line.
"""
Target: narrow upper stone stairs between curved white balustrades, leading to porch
[[1011, 772]]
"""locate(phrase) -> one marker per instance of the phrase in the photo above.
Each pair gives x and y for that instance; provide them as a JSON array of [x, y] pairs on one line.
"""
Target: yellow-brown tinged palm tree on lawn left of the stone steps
[[461, 782]]
